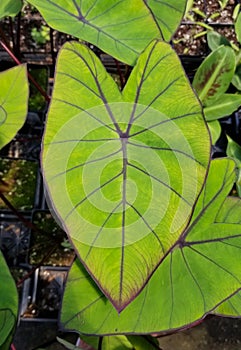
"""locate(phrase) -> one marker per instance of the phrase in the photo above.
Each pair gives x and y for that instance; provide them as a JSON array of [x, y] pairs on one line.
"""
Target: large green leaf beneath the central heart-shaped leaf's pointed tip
[[199, 272]]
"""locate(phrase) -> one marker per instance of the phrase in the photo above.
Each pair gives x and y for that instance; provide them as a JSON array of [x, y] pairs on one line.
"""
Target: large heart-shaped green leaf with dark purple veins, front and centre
[[123, 170]]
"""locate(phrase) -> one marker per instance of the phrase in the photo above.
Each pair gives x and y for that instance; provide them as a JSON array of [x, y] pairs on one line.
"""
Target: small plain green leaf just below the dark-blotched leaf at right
[[223, 106]]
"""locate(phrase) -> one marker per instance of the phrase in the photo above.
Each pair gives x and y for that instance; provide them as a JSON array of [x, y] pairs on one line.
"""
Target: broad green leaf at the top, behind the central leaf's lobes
[[121, 28]]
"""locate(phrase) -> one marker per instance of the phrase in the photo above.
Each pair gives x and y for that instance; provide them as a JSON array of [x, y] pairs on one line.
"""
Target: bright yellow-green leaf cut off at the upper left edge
[[13, 102]]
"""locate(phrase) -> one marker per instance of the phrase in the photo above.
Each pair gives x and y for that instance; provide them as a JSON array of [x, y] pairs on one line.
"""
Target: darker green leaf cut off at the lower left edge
[[8, 305]]
